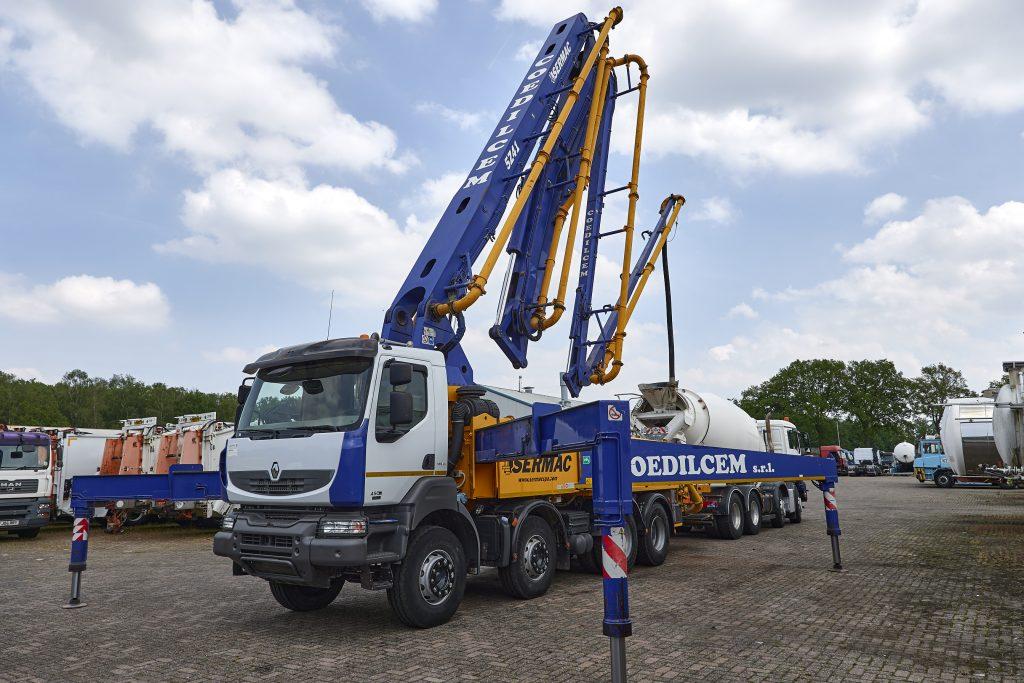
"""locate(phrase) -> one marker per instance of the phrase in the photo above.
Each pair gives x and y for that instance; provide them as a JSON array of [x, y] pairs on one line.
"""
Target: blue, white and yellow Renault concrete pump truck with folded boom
[[376, 460]]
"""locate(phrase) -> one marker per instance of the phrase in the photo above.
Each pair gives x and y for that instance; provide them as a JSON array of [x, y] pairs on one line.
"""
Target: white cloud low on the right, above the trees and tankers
[[945, 286]]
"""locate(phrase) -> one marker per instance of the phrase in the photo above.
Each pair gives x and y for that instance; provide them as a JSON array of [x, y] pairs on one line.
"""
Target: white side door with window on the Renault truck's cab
[[401, 452]]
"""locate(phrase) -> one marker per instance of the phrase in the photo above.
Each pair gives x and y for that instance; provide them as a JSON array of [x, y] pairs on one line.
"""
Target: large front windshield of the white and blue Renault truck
[[330, 396]]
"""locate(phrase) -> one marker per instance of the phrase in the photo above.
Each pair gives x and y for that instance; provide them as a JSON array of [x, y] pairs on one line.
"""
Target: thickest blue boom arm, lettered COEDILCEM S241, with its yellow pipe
[[423, 311]]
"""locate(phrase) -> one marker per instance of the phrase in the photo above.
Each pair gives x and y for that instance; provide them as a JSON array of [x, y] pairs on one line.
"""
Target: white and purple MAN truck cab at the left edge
[[26, 483]]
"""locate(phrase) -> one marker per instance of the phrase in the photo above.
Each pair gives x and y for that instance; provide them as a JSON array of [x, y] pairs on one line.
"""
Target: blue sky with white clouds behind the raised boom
[[183, 185]]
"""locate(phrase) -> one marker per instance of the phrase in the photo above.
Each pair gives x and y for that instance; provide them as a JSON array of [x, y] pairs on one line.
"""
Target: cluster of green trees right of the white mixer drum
[[858, 404]]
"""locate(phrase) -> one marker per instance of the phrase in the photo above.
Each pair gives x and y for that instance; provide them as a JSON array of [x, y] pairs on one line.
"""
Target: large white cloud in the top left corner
[[220, 91]]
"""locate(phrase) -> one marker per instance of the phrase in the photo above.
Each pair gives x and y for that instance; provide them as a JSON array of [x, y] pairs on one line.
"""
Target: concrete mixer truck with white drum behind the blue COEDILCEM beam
[[668, 413]]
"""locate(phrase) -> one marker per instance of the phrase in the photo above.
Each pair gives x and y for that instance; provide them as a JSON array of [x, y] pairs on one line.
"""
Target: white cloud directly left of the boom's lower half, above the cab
[[324, 237]]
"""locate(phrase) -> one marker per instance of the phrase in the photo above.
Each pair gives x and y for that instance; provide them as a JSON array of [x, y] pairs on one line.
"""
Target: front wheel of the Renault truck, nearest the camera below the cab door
[[430, 583]]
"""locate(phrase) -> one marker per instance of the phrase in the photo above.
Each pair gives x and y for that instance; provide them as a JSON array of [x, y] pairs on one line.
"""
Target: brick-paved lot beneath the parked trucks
[[933, 591]]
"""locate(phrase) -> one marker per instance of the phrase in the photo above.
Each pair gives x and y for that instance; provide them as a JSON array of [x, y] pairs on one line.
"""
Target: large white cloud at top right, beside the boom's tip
[[779, 87]]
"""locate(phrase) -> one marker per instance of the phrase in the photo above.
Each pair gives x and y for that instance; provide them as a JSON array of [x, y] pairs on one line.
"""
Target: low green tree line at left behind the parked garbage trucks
[[81, 401]]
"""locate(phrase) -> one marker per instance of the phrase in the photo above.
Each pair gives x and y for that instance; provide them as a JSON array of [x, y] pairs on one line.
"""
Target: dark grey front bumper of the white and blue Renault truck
[[291, 552]]
